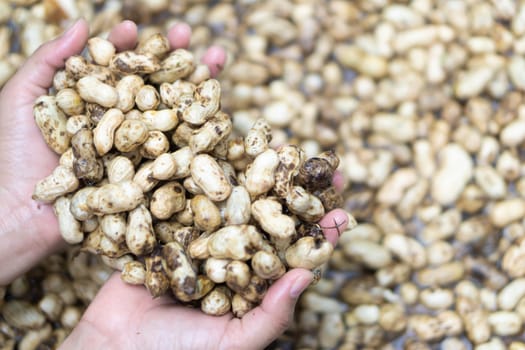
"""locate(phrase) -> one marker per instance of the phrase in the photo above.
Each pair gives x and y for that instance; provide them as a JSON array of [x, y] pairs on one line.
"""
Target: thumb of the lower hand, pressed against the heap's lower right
[[269, 320]]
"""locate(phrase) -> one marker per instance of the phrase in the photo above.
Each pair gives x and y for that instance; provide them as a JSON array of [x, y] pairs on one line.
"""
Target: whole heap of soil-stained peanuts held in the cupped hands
[[152, 179]]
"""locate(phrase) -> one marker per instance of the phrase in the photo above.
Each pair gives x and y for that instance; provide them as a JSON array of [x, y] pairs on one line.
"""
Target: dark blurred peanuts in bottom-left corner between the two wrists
[[40, 308]]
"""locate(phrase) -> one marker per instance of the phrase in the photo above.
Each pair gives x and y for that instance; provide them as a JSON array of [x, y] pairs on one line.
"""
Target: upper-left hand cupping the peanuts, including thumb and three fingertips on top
[[29, 230]]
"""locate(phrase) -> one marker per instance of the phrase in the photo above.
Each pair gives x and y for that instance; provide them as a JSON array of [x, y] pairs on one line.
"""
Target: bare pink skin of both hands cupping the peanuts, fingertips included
[[121, 315]]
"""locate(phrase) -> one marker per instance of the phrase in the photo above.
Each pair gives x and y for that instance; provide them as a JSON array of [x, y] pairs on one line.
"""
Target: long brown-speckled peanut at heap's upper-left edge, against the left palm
[[52, 123]]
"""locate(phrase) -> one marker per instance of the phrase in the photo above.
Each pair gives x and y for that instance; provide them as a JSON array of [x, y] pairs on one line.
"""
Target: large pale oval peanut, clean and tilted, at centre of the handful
[[209, 176]]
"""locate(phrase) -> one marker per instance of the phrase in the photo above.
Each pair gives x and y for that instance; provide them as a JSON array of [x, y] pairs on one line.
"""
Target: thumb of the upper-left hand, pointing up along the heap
[[36, 74]]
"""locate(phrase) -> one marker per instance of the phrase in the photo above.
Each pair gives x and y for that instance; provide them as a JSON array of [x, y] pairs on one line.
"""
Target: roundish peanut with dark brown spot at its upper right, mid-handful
[[167, 200]]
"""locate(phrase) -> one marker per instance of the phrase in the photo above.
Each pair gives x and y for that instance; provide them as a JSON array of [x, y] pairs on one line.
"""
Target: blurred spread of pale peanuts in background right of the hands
[[422, 101]]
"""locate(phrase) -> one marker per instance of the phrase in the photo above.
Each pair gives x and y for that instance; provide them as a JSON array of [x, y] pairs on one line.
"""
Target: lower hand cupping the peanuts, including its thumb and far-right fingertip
[[125, 316]]
